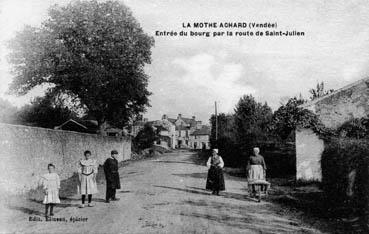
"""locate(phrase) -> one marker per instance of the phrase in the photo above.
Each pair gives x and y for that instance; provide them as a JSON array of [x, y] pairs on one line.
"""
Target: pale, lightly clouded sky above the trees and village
[[188, 74]]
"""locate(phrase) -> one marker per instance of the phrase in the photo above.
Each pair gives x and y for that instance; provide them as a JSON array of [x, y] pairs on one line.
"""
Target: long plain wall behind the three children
[[26, 151]]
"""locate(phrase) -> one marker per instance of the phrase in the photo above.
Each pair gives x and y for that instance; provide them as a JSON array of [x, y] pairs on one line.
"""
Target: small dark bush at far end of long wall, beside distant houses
[[145, 138]]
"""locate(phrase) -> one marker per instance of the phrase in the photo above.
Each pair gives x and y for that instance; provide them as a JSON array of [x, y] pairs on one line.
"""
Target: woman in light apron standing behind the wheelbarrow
[[256, 168]]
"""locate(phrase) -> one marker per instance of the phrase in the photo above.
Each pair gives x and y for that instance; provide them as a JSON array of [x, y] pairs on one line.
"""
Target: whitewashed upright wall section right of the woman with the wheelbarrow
[[309, 149]]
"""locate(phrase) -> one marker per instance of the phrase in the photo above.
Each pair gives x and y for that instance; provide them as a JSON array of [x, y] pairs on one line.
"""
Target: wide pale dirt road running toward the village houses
[[164, 195]]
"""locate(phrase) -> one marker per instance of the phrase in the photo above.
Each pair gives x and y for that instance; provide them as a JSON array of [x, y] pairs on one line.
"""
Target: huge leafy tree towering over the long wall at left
[[94, 52]]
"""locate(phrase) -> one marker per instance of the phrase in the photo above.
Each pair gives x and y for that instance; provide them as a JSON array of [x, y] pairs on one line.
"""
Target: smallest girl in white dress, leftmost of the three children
[[51, 185]]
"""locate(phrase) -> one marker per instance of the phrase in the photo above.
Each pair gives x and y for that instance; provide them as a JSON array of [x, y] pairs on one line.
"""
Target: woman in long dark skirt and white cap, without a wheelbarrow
[[215, 180]]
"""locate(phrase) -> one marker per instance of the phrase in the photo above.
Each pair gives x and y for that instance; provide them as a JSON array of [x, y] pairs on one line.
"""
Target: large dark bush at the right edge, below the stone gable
[[339, 158]]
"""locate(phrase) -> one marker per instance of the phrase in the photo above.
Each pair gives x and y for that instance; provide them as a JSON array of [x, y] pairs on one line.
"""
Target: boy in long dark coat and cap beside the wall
[[112, 177]]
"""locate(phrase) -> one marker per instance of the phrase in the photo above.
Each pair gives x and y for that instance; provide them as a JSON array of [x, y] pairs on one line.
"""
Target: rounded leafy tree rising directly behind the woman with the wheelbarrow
[[252, 120]]
